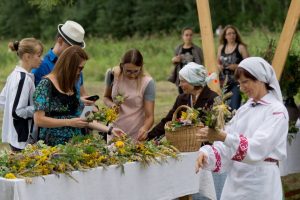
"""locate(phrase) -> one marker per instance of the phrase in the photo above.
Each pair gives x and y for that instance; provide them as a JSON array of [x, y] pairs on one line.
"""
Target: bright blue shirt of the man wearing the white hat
[[47, 66]]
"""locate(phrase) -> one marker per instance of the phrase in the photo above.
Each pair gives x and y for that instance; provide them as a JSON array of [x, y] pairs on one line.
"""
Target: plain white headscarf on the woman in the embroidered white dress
[[264, 72]]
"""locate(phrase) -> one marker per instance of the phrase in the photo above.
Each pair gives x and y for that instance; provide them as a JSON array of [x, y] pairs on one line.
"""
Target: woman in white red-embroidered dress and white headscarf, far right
[[254, 141]]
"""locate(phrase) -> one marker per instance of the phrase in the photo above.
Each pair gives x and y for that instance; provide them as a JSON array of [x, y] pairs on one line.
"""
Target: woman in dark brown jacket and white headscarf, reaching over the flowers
[[193, 81]]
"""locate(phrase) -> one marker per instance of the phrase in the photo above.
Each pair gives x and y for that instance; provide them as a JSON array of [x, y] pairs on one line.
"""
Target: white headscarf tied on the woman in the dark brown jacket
[[196, 74]]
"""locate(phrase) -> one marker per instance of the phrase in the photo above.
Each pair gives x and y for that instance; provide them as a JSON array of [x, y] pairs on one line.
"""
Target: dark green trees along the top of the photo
[[119, 19]]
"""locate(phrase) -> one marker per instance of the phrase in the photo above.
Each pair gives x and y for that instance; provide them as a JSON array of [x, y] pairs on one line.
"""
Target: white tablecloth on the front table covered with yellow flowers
[[163, 182]]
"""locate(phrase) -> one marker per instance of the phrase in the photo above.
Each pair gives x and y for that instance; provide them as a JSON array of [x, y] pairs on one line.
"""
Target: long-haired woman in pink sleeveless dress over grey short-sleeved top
[[136, 113]]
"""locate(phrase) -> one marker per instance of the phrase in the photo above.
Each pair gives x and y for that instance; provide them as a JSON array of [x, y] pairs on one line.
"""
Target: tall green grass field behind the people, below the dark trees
[[157, 51]]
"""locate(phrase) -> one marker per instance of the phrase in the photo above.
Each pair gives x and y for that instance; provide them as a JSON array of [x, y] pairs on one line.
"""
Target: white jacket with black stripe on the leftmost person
[[24, 108]]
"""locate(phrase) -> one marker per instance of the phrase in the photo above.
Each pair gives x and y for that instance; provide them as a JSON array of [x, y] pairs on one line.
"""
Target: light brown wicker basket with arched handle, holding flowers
[[183, 138]]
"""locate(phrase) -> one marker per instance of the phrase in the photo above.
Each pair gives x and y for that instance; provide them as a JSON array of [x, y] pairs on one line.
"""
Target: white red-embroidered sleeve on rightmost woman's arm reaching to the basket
[[271, 132]]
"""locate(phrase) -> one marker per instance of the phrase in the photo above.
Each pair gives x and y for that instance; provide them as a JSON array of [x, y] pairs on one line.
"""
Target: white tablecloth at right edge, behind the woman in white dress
[[292, 163]]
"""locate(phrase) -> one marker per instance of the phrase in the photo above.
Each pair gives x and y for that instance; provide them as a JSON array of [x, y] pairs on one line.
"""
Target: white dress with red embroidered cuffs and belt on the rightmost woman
[[256, 133]]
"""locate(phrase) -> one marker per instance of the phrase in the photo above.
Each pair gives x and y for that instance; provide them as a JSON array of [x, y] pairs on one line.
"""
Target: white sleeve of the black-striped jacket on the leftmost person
[[23, 110]]
